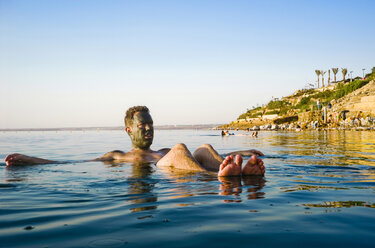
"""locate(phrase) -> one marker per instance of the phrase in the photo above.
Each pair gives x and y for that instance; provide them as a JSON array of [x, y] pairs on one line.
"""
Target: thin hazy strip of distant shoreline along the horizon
[[161, 127]]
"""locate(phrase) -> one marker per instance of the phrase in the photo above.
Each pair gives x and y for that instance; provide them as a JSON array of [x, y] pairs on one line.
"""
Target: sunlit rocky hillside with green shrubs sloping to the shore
[[340, 100]]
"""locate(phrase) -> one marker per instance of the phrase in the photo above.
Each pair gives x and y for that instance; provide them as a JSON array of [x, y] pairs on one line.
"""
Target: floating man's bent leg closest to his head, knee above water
[[179, 157]]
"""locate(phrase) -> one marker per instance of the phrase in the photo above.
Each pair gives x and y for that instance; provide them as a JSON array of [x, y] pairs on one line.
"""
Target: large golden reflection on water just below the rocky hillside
[[331, 147]]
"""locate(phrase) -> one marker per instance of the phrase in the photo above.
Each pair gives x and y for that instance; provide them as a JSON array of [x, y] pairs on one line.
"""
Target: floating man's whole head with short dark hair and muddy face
[[139, 126]]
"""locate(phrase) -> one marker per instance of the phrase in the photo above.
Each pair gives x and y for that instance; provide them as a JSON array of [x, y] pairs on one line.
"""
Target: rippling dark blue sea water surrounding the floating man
[[319, 191]]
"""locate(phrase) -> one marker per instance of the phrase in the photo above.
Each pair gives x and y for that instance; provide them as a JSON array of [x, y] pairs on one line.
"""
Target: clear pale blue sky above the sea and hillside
[[83, 63]]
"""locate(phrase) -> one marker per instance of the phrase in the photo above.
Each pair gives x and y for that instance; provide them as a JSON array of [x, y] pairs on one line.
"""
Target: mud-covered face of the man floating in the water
[[141, 131]]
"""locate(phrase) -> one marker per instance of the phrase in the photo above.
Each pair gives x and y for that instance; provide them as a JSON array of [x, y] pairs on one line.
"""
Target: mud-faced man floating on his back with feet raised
[[139, 127]]
